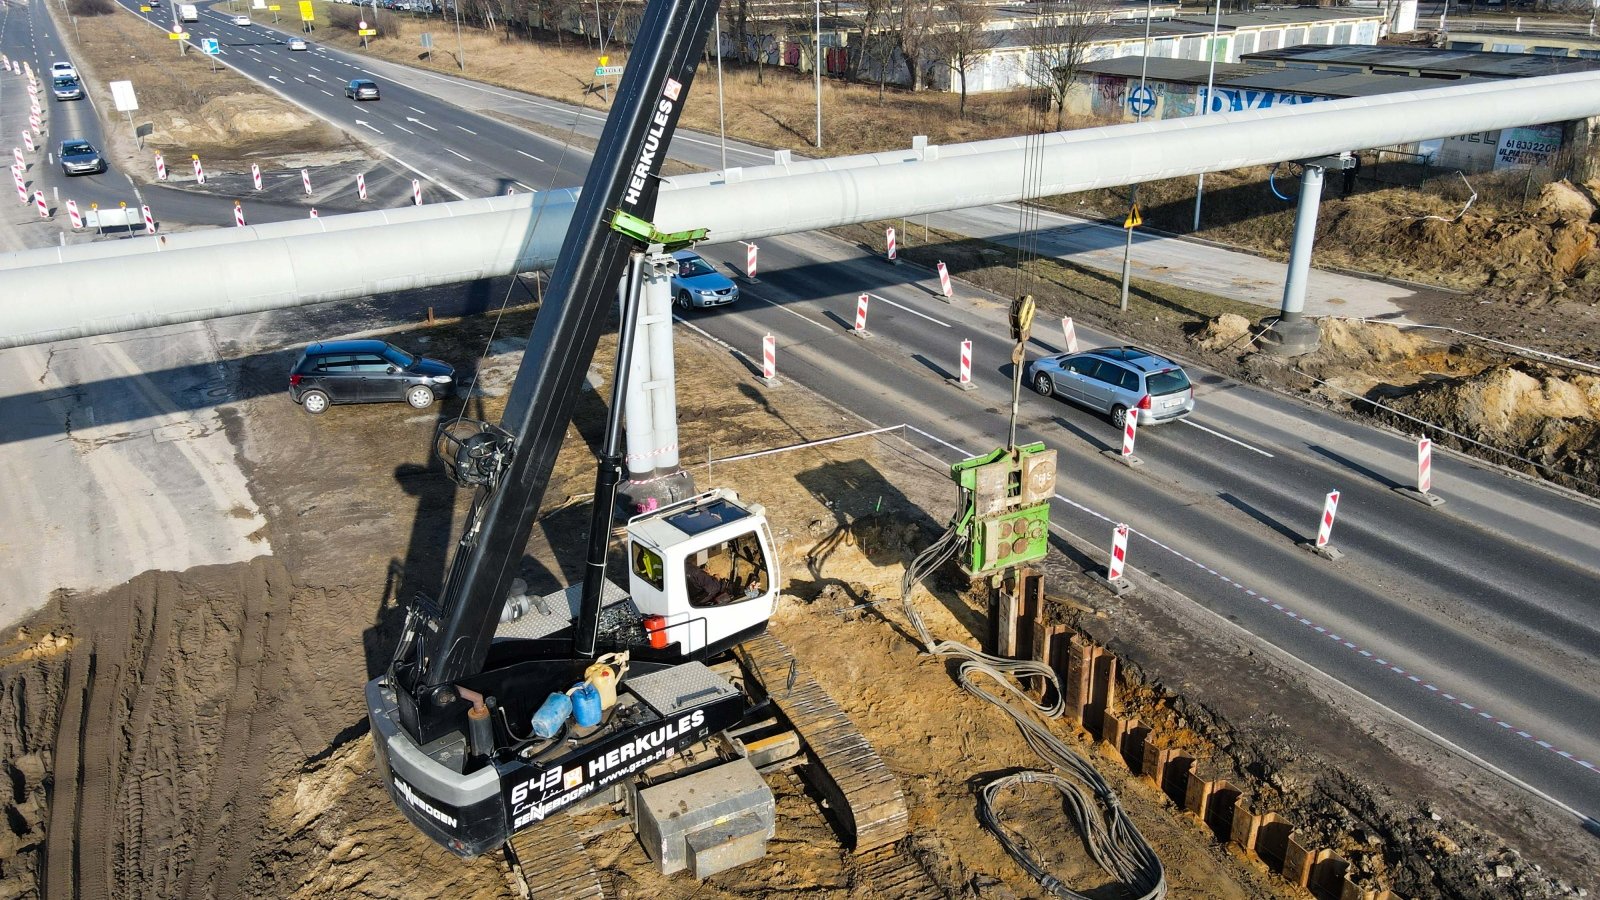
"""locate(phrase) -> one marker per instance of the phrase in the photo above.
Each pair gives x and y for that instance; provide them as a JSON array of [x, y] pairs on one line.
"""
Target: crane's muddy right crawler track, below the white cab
[[863, 797]]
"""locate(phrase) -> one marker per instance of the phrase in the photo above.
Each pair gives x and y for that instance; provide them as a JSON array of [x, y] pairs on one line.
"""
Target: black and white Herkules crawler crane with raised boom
[[484, 723]]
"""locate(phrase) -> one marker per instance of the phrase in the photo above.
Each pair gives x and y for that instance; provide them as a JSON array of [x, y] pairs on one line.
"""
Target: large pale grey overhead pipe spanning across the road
[[182, 278]]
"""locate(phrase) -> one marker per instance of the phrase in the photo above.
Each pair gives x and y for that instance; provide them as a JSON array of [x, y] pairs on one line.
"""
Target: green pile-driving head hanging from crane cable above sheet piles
[[1006, 513]]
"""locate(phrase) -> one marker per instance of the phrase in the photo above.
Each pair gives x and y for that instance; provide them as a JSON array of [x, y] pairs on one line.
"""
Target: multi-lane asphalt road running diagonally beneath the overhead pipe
[[1476, 621]]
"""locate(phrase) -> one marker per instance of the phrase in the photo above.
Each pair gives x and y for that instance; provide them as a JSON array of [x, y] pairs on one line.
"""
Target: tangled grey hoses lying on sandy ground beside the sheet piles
[[1108, 832]]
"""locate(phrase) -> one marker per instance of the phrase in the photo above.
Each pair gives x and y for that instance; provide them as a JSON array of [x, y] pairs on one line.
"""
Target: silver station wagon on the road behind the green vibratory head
[[1116, 380]]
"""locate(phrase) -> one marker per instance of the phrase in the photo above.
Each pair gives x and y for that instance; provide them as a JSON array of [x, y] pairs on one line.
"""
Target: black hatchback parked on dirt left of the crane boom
[[366, 372]]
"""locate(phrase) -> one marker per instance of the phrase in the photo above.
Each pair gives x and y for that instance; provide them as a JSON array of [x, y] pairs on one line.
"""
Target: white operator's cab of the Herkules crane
[[703, 573]]
